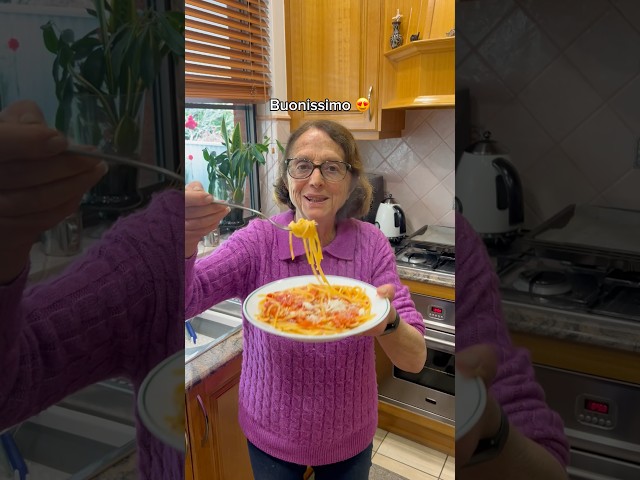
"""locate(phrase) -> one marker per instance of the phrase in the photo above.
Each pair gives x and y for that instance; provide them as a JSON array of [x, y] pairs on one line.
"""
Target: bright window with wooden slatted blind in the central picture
[[226, 73]]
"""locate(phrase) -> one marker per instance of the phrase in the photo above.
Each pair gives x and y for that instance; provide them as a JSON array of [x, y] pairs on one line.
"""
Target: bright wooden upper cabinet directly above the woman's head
[[334, 52]]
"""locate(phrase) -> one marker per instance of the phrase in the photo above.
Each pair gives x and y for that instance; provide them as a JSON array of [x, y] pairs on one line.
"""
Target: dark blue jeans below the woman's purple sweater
[[266, 467]]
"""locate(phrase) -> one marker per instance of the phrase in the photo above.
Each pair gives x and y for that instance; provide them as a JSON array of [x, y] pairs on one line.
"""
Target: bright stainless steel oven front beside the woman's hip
[[430, 392]]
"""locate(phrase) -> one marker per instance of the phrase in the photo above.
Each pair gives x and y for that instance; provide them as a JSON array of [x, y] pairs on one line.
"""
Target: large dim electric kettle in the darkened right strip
[[488, 190]]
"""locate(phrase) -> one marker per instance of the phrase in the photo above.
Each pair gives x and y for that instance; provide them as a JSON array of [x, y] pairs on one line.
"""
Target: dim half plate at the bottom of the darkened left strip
[[156, 400]]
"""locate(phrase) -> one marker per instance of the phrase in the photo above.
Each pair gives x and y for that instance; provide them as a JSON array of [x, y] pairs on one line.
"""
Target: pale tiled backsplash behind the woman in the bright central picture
[[418, 168]]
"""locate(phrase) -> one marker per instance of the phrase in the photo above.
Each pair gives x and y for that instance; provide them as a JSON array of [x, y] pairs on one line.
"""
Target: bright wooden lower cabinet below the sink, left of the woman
[[217, 447]]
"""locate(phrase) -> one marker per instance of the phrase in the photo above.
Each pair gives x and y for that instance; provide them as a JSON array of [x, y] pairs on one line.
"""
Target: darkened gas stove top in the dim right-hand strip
[[528, 279]]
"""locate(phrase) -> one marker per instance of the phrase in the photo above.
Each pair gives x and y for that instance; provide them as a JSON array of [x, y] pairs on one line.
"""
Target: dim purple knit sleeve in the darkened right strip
[[479, 320]]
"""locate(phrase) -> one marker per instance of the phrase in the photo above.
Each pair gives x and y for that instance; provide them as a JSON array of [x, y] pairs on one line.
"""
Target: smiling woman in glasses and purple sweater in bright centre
[[307, 404]]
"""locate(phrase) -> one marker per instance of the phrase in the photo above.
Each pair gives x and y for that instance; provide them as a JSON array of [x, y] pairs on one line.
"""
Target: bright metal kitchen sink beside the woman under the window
[[212, 327]]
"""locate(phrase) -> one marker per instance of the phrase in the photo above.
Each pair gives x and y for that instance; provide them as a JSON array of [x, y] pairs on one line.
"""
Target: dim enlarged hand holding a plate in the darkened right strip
[[478, 361]]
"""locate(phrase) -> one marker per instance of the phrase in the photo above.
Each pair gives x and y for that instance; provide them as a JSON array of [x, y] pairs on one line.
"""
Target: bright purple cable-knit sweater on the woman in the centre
[[308, 403]]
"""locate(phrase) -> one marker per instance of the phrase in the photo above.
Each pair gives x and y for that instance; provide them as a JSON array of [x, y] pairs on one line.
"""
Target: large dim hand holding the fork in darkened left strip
[[39, 187]]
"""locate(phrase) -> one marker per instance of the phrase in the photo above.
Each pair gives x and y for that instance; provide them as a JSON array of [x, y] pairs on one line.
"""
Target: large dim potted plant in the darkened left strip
[[101, 79]]
